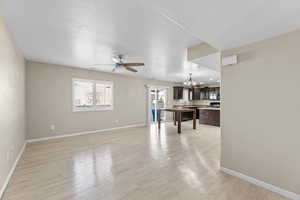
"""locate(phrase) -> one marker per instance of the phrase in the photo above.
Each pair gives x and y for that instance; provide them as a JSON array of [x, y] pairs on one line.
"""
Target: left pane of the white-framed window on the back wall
[[83, 93]]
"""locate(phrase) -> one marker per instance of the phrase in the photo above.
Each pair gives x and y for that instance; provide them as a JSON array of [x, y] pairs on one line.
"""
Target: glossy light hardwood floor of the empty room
[[135, 163]]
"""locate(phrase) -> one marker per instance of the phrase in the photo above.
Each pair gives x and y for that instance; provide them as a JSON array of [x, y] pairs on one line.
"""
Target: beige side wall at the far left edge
[[12, 102]]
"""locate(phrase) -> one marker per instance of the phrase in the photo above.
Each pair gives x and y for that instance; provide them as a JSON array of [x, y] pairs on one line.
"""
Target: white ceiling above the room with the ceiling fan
[[83, 33]]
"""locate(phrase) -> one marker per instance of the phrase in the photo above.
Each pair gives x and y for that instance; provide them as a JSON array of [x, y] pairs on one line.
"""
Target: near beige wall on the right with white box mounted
[[261, 109]]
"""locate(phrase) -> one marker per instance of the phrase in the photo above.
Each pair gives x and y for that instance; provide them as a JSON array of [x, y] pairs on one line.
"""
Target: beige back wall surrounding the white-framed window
[[49, 101]]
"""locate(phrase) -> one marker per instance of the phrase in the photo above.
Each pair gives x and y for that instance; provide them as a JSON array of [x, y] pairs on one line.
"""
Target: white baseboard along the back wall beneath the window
[[83, 133]]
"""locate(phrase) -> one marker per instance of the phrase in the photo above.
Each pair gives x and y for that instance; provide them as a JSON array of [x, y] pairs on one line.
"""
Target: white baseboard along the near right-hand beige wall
[[283, 192]]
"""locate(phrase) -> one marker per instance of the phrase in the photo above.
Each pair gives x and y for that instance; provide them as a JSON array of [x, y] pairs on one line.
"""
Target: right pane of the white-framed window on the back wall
[[103, 94]]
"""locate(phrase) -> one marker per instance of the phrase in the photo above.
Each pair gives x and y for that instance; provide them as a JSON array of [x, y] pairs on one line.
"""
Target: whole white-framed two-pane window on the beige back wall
[[92, 95]]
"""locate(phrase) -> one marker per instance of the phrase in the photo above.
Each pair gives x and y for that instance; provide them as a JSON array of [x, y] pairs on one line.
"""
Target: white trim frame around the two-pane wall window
[[94, 107]]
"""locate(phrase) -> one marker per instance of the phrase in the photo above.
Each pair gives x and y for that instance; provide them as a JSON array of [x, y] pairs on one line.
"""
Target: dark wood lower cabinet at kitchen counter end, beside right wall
[[209, 117]]
